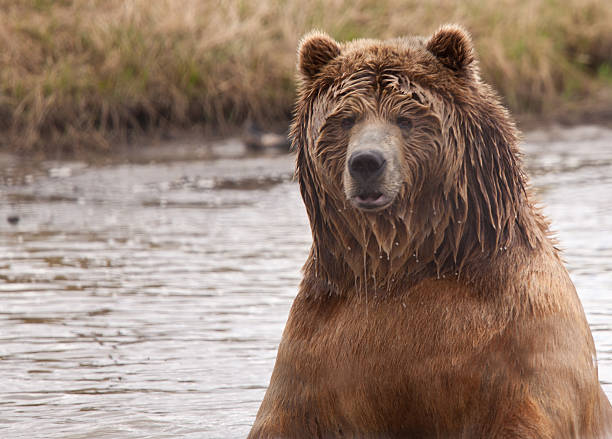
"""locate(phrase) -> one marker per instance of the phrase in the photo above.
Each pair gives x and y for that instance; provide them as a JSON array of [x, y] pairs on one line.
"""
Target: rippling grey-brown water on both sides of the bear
[[146, 299]]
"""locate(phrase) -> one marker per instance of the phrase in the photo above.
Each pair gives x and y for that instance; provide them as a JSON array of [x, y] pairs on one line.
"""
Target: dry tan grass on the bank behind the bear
[[85, 74]]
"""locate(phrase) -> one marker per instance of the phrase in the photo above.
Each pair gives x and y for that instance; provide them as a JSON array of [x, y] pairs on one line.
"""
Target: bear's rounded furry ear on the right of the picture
[[453, 47]]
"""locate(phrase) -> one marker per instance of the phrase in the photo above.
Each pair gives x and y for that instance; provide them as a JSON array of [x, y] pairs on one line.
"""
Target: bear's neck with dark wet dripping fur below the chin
[[388, 252]]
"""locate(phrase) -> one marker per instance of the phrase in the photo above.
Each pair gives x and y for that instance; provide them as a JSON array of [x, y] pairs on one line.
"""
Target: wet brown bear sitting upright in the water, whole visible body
[[434, 302]]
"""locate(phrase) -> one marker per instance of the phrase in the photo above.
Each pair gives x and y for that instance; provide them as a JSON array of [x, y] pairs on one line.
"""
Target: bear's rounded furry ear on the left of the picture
[[315, 51]]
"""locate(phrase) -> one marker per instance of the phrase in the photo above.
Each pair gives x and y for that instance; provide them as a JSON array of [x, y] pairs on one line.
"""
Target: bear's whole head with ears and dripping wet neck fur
[[407, 163]]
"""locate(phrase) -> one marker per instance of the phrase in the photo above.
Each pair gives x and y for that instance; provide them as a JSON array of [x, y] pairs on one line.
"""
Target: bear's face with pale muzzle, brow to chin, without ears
[[386, 143]]
